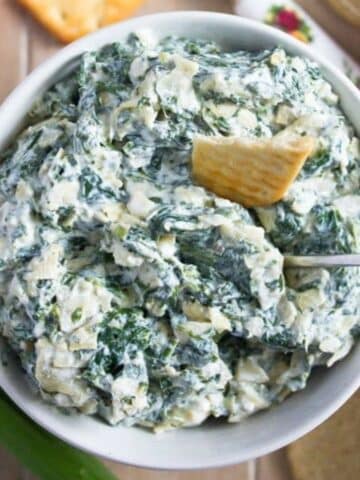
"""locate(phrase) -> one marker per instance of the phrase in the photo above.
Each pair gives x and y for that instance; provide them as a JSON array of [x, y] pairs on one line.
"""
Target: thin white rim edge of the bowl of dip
[[65, 59]]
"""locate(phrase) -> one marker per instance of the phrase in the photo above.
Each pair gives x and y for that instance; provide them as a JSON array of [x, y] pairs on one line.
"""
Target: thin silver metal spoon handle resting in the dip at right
[[350, 260]]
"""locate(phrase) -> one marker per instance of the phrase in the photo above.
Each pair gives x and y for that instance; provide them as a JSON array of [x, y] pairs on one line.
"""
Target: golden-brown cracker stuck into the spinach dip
[[253, 172]]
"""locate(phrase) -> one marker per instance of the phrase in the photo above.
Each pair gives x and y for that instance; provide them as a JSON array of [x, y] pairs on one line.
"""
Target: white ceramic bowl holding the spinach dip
[[213, 444]]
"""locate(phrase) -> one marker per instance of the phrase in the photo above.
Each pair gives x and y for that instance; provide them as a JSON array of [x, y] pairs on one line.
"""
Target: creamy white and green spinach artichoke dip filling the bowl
[[131, 293]]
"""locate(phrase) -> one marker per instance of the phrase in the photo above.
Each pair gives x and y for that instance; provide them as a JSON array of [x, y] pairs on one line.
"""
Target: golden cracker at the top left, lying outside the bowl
[[71, 19]]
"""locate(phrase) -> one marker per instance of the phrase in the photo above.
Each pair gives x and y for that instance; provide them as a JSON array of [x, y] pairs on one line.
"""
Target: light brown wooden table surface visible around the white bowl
[[23, 45]]
